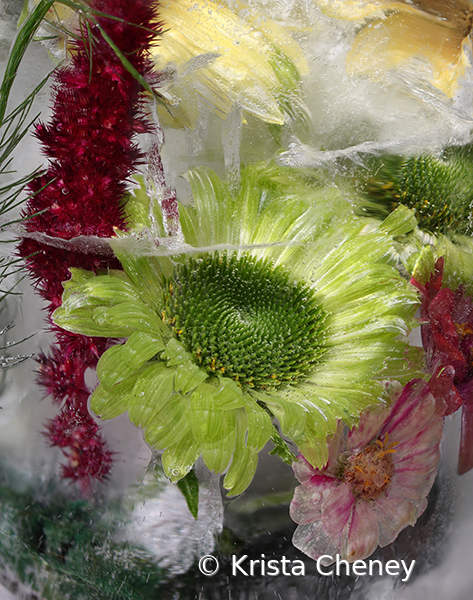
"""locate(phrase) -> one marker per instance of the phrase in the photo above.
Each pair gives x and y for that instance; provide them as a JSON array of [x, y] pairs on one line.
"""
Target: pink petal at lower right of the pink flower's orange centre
[[394, 515]]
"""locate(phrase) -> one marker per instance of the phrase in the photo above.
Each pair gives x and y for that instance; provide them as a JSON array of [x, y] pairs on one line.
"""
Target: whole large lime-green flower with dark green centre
[[277, 306]]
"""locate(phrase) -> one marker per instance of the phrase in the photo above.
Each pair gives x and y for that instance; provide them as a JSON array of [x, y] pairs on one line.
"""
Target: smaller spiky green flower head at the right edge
[[438, 188]]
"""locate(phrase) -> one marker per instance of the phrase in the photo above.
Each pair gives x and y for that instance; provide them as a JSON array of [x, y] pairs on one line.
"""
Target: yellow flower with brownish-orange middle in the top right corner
[[430, 37]]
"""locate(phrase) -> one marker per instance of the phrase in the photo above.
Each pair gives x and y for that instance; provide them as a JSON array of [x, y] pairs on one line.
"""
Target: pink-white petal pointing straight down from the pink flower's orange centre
[[361, 536]]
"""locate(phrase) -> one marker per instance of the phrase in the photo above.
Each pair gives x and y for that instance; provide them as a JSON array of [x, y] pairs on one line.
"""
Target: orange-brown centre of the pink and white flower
[[370, 470]]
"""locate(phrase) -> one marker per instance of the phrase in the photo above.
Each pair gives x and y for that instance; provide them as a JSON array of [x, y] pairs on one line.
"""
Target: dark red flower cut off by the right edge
[[447, 337]]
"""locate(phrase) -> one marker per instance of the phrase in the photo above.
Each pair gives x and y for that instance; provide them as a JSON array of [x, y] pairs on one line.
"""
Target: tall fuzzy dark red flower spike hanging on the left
[[91, 145]]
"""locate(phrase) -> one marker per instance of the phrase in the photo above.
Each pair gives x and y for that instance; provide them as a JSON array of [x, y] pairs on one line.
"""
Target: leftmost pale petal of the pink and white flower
[[306, 505]]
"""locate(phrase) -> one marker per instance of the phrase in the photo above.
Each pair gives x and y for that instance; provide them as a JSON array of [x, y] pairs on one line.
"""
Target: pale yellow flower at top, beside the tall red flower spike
[[226, 58]]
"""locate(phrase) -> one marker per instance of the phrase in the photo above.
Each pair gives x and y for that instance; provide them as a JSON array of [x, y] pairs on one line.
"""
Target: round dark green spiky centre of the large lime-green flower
[[244, 318]]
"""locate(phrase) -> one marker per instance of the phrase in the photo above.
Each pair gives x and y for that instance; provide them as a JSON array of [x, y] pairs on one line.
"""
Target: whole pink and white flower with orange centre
[[376, 480]]
